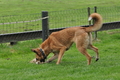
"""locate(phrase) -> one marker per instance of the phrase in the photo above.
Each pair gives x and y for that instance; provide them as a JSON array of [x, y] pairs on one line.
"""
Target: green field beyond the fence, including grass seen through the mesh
[[62, 13]]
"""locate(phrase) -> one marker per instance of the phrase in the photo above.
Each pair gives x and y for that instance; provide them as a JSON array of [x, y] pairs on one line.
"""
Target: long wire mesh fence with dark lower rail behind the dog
[[26, 27]]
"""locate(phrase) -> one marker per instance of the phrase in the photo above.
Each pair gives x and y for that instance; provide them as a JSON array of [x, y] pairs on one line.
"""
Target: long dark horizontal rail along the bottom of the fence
[[14, 37]]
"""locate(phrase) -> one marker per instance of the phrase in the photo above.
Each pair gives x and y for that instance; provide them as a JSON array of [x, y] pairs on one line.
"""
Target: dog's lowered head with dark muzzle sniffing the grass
[[40, 55]]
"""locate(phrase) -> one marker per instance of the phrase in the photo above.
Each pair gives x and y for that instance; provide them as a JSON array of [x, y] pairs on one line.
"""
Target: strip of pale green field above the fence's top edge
[[36, 6]]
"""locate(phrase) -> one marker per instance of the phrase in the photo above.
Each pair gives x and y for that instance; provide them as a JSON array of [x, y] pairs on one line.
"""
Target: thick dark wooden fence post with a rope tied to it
[[45, 27]]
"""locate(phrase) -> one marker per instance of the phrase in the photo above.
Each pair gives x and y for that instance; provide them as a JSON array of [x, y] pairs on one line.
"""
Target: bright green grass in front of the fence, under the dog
[[15, 61]]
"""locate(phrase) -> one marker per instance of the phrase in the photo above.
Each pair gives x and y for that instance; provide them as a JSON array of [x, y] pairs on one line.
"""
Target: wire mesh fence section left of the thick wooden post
[[20, 23]]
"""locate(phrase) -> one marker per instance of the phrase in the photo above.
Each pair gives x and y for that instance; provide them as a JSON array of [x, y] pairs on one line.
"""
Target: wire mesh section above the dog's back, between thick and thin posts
[[68, 18]]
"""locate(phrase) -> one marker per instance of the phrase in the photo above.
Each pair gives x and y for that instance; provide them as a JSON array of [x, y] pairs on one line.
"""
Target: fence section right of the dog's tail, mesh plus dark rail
[[111, 17]]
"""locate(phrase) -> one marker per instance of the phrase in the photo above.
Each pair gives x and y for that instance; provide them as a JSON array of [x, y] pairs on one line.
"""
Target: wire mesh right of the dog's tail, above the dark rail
[[110, 14]]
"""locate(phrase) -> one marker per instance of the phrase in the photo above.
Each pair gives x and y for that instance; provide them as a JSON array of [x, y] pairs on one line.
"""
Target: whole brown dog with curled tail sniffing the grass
[[59, 42]]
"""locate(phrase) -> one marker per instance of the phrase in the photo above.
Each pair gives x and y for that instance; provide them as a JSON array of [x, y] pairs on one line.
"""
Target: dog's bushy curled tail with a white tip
[[98, 22]]
